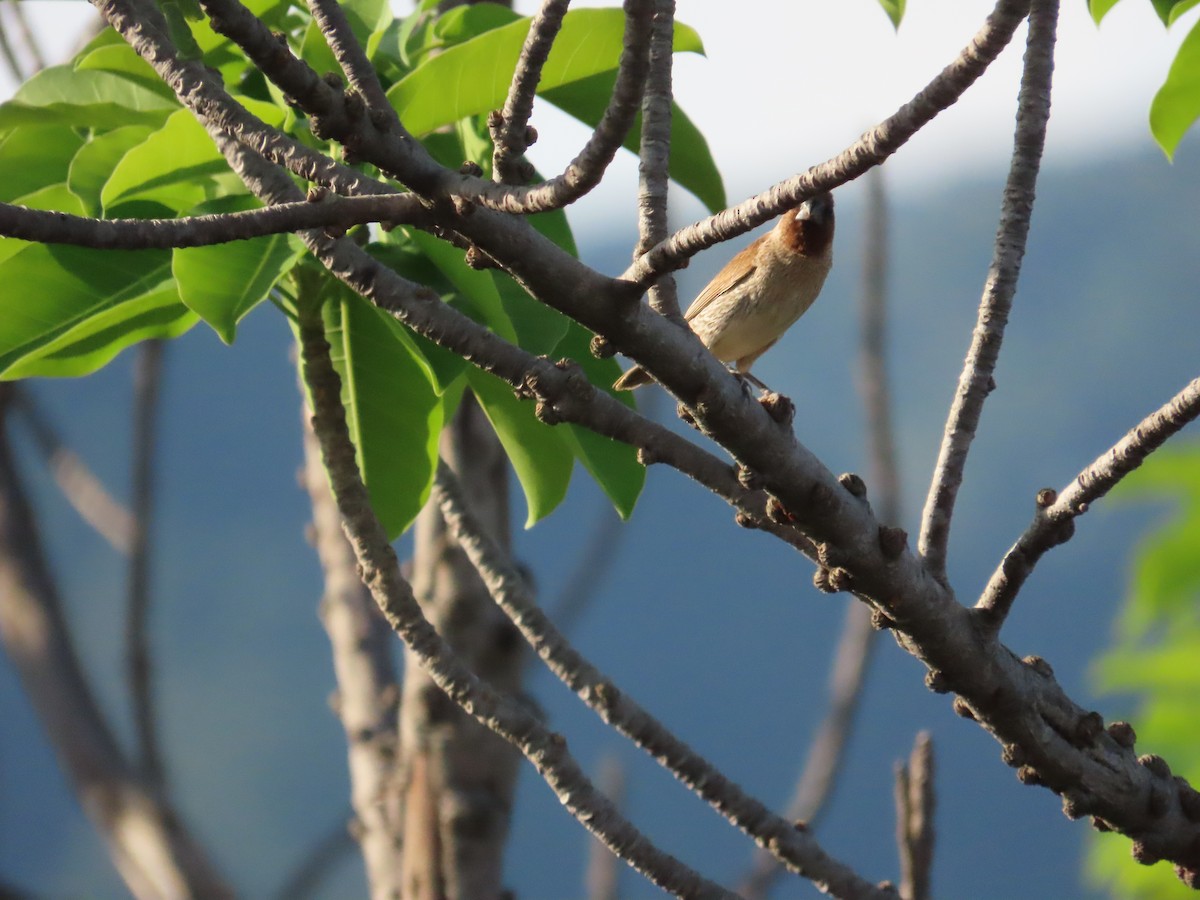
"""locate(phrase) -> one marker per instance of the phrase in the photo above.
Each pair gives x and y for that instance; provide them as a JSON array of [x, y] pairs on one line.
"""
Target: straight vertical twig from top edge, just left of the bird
[[655, 155]]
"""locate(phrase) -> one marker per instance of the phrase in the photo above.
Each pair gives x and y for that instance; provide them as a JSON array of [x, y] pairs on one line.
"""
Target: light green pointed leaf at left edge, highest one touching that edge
[[97, 100]]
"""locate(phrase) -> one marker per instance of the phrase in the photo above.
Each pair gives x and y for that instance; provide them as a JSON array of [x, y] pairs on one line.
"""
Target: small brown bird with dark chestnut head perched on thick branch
[[761, 292]]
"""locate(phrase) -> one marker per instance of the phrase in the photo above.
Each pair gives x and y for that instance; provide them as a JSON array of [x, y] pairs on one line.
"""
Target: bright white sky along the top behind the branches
[[789, 83]]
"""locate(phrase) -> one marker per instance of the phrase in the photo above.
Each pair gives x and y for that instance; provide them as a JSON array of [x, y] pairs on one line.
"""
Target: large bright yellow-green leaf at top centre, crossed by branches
[[475, 77]]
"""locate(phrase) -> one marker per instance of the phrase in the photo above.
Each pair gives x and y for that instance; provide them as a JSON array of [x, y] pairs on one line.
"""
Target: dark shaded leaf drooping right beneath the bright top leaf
[[692, 164]]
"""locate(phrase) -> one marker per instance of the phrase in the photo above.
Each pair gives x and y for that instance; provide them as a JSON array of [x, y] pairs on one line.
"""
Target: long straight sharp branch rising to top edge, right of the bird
[[977, 380]]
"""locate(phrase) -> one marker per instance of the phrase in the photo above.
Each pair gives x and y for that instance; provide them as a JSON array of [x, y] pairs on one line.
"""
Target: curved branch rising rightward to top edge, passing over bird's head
[[873, 148]]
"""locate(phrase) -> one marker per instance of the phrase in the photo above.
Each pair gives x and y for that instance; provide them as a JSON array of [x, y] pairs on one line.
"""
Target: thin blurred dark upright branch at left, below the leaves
[[147, 376]]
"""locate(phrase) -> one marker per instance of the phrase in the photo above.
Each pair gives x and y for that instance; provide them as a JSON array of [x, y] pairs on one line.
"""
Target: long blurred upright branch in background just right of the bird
[[854, 655]]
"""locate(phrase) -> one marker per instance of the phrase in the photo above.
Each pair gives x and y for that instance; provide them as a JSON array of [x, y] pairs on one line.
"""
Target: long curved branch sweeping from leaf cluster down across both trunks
[[545, 749]]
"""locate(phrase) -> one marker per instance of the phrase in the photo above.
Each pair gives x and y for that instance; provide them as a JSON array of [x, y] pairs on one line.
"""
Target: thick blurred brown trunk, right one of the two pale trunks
[[457, 776]]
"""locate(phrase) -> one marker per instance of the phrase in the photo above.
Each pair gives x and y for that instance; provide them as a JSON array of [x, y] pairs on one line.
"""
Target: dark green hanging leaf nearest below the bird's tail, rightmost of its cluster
[[613, 464]]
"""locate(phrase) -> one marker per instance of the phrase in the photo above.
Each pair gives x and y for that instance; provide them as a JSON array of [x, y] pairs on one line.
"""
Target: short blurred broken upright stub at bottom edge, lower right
[[915, 819]]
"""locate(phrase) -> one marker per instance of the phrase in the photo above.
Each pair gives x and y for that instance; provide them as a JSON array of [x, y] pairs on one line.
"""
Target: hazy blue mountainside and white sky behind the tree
[[717, 631]]
